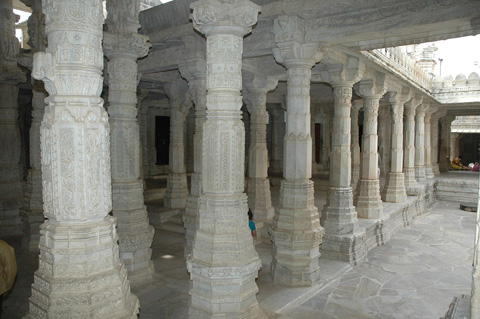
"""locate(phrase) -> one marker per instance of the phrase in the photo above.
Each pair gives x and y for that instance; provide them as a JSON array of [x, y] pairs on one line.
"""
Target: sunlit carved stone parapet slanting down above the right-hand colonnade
[[400, 63]]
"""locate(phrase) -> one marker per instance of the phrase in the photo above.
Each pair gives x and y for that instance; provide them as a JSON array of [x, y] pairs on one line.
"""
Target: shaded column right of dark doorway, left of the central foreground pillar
[[176, 192]]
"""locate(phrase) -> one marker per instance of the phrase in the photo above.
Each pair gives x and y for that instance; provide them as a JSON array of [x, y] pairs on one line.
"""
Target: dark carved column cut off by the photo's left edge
[[11, 192]]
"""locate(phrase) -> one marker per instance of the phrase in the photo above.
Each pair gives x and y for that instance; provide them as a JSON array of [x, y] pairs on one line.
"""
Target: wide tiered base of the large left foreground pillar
[[80, 274]]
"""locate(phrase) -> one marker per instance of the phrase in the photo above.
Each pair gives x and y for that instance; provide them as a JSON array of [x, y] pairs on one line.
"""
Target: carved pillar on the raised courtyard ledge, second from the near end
[[368, 200]]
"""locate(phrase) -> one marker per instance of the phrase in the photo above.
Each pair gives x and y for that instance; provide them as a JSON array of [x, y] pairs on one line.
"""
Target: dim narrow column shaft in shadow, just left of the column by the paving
[[278, 133]]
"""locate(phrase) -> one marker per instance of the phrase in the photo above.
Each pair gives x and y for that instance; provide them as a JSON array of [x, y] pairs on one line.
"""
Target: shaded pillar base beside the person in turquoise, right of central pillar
[[259, 198]]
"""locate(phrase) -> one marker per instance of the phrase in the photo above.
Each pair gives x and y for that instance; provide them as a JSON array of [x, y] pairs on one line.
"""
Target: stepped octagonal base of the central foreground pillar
[[223, 264]]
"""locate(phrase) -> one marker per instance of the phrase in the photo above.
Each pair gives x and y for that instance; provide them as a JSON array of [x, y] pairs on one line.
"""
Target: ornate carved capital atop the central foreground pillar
[[224, 17]]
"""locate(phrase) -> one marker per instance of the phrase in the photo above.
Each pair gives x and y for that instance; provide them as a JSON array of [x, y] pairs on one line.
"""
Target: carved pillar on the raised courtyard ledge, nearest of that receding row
[[339, 215]]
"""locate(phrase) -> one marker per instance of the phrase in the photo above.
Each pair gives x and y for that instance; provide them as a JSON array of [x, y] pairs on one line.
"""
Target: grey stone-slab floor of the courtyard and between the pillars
[[415, 275]]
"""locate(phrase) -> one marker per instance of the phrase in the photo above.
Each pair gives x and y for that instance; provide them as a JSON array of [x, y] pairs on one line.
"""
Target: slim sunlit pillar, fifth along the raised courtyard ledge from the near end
[[420, 142]]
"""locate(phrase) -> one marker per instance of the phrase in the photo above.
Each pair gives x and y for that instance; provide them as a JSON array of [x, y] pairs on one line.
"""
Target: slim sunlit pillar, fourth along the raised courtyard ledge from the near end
[[409, 147]]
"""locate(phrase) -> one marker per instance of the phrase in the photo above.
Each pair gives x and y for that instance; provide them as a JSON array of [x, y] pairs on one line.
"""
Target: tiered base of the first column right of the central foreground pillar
[[297, 235]]
